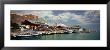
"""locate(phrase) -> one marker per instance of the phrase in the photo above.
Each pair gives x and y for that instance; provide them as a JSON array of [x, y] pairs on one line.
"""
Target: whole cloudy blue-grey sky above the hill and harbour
[[67, 17]]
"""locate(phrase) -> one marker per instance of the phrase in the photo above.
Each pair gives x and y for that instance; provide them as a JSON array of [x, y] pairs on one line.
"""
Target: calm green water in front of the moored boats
[[71, 36]]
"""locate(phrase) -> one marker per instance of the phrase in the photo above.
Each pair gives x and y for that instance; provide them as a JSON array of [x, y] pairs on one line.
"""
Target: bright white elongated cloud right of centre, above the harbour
[[73, 16]]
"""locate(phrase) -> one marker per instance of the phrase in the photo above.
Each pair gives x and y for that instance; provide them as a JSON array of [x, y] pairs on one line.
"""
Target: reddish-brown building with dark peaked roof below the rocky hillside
[[35, 26]]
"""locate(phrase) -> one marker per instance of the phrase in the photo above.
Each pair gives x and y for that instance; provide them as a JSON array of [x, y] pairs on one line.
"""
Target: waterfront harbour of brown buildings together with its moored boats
[[27, 28]]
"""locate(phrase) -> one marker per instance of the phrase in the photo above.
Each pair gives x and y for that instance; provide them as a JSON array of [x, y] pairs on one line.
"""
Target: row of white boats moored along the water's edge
[[37, 33]]
